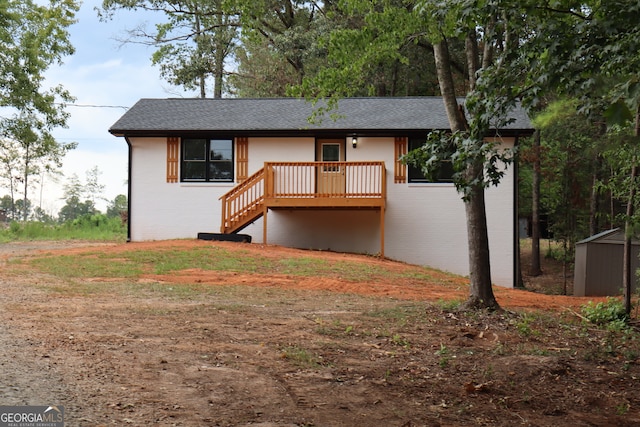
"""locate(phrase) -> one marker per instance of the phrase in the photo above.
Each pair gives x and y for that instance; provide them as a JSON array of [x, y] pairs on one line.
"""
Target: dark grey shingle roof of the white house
[[286, 115]]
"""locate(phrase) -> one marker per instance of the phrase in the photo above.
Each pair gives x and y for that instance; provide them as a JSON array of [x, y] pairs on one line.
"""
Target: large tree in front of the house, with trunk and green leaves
[[464, 38]]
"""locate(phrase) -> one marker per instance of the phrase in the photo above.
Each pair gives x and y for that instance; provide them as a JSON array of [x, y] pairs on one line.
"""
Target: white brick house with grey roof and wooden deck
[[259, 166]]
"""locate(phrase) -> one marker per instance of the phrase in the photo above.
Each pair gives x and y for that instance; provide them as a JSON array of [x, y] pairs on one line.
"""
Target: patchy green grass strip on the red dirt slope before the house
[[134, 263]]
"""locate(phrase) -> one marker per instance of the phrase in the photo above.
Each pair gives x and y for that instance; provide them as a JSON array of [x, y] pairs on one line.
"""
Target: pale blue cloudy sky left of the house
[[105, 77]]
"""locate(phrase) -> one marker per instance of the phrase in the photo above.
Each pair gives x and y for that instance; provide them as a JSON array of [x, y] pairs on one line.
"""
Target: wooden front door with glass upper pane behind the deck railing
[[331, 179]]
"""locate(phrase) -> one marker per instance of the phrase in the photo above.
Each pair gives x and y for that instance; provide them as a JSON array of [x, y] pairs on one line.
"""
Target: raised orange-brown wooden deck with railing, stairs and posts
[[305, 185]]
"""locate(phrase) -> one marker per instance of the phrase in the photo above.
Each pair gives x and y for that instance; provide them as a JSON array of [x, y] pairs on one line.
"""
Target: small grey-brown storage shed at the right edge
[[598, 264]]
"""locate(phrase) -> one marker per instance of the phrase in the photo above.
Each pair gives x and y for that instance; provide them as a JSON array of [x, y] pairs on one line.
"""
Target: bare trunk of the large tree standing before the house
[[480, 292]]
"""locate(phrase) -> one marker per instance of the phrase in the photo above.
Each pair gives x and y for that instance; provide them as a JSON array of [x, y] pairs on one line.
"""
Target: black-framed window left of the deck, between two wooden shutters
[[207, 160]]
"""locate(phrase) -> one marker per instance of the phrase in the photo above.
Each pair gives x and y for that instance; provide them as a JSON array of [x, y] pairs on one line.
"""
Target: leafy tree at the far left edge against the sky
[[34, 37]]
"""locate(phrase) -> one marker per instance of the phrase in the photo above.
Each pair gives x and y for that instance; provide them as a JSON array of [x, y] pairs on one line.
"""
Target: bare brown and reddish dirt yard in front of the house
[[213, 348]]
